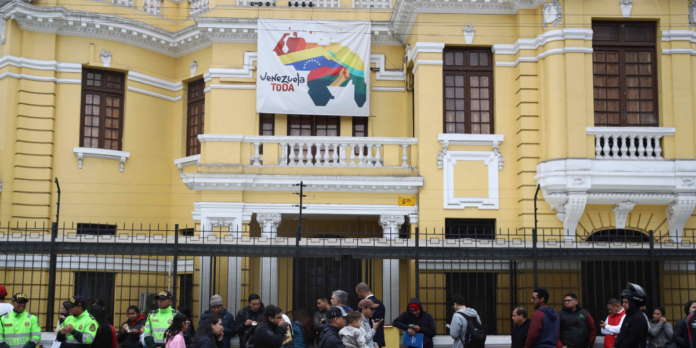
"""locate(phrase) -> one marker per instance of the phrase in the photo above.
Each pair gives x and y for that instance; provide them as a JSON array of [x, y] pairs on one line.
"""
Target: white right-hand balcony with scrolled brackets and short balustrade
[[628, 170]]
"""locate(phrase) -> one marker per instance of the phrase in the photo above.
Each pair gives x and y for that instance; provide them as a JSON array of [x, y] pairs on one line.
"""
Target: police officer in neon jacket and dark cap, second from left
[[80, 328]]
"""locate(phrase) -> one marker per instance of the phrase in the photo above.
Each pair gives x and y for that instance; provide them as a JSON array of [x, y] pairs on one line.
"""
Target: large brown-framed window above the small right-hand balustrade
[[625, 74]]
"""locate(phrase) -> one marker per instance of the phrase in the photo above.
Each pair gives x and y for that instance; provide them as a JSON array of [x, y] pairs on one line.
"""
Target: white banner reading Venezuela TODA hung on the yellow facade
[[313, 67]]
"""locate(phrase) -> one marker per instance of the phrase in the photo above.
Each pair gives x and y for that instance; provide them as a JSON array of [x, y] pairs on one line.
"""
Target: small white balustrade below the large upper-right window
[[629, 142]]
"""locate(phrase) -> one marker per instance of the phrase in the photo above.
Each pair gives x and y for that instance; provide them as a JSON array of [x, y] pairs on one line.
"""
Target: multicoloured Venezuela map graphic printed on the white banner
[[333, 65]]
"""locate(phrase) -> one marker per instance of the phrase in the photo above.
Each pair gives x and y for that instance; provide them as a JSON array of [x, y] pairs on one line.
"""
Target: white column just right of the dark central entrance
[[390, 268]]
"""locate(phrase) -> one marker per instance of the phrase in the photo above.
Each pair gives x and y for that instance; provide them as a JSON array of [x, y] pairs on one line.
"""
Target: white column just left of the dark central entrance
[[269, 223]]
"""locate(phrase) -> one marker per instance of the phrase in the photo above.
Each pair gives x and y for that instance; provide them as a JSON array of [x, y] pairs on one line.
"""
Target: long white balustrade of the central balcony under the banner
[[303, 151]]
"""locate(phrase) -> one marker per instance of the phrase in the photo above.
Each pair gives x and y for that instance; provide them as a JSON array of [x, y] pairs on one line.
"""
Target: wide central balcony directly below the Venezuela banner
[[325, 164]]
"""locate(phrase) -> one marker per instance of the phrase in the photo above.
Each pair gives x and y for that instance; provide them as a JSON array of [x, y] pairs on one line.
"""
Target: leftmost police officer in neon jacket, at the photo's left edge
[[19, 329]]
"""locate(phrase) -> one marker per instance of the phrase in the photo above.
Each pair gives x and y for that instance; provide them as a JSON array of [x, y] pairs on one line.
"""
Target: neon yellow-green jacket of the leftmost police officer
[[18, 329]]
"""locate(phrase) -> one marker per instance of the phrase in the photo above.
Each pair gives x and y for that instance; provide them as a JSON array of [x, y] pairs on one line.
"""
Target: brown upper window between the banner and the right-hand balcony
[[468, 91]]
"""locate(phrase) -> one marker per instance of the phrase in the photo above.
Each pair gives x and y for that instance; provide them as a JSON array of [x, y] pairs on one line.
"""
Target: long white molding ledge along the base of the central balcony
[[278, 183]]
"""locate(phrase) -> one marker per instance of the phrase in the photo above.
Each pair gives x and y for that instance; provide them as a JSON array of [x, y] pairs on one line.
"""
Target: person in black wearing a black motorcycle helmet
[[634, 329]]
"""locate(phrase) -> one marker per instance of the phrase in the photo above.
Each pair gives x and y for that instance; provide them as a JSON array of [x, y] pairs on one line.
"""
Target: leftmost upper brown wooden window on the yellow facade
[[102, 109]]
